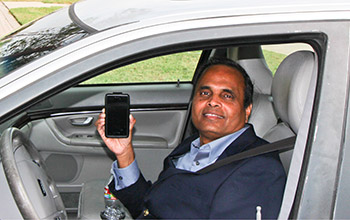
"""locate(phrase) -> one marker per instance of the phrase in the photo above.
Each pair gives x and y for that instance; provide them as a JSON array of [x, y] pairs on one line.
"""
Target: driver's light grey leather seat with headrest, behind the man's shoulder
[[289, 91]]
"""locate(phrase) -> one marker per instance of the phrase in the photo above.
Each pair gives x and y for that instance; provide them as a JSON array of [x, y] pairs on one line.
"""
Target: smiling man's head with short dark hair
[[218, 103]]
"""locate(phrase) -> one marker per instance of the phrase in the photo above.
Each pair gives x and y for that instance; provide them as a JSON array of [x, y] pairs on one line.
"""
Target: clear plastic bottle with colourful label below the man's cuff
[[112, 210]]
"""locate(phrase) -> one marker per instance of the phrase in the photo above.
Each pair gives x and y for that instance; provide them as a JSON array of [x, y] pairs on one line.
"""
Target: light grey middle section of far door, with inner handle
[[154, 129]]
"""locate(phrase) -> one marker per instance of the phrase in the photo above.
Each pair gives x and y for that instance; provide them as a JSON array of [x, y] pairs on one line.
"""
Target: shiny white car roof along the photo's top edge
[[97, 15]]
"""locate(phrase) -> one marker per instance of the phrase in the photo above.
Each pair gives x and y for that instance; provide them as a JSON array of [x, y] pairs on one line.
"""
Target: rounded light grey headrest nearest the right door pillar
[[290, 86]]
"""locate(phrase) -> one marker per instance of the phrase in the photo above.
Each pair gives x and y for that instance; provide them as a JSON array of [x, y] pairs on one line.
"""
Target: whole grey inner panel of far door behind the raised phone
[[75, 153]]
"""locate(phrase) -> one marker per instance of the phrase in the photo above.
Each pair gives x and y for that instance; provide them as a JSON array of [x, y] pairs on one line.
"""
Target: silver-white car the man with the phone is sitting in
[[55, 72]]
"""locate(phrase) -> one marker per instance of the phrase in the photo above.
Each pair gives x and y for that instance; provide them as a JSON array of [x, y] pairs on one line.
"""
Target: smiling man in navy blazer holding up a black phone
[[222, 103]]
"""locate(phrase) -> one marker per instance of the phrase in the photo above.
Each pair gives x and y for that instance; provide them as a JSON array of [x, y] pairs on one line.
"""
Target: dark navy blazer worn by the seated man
[[232, 191]]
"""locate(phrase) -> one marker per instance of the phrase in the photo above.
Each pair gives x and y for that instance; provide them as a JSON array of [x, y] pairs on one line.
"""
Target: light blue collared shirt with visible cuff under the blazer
[[197, 158]]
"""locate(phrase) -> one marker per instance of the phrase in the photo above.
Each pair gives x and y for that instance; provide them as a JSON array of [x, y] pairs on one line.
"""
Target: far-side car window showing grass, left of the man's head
[[167, 68]]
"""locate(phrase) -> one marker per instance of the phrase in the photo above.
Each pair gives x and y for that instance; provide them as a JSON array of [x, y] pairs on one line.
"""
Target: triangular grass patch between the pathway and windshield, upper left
[[25, 15]]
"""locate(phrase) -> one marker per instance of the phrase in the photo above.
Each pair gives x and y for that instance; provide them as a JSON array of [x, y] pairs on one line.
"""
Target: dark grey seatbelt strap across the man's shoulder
[[281, 146]]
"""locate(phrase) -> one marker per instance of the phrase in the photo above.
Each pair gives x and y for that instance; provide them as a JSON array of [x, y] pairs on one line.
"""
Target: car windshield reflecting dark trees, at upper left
[[38, 39]]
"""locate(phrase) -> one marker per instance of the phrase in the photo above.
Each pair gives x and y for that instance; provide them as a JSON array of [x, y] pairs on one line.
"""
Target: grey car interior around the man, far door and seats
[[62, 127]]
